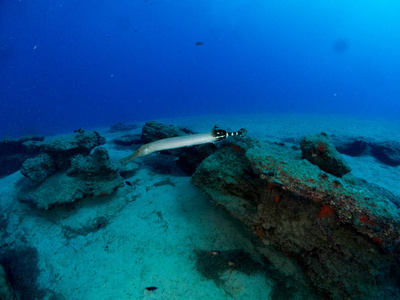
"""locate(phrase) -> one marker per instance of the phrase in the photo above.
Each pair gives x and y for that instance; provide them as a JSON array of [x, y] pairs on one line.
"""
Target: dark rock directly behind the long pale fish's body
[[189, 157]]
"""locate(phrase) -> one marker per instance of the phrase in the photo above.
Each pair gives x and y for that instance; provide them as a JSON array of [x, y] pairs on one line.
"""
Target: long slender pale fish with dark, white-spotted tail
[[215, 135]]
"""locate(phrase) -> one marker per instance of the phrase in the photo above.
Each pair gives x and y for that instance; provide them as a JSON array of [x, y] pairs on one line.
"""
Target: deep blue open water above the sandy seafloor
[[70, 64]]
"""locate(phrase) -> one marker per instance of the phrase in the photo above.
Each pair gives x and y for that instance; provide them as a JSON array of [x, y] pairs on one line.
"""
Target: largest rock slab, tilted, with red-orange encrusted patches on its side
[[345, 237]]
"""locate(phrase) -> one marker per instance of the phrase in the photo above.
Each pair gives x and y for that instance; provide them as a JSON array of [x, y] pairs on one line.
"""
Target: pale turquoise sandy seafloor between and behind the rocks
[[154, 227]]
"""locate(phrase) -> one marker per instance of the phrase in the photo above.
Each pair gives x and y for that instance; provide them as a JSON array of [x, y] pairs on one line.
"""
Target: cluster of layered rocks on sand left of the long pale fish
[[69, 169]]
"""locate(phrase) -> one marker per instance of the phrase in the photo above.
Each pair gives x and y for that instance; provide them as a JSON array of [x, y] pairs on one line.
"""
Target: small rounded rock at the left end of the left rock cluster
[[38, 168]]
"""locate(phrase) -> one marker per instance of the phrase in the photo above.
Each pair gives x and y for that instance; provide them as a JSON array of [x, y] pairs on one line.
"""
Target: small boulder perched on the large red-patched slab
[[319, 150]]
